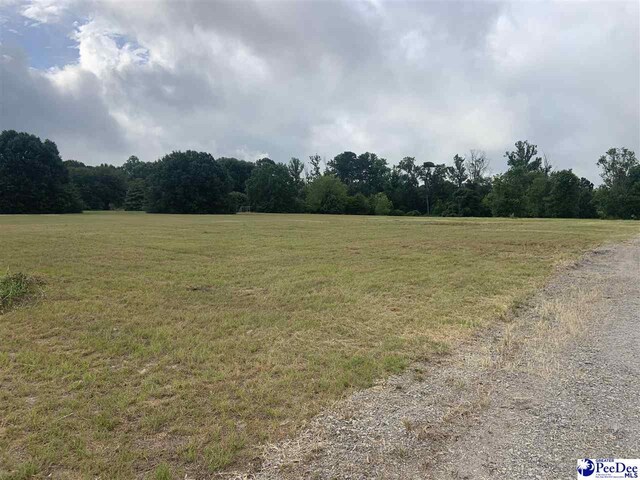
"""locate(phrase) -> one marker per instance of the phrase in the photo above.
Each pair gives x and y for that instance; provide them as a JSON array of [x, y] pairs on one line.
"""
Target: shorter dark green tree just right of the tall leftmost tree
[[101, 188]]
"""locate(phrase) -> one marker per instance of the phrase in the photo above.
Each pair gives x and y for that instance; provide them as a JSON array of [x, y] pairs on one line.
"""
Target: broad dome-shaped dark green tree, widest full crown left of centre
[[188, 182]]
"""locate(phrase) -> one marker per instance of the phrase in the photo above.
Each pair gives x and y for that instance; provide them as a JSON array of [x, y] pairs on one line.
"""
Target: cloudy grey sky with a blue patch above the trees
[[110, 79]]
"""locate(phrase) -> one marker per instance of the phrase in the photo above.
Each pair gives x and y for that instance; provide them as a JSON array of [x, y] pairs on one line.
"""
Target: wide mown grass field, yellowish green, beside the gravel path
[[164, 345]]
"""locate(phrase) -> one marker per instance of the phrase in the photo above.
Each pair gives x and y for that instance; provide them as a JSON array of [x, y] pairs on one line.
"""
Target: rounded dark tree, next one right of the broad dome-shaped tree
[[271, 189]]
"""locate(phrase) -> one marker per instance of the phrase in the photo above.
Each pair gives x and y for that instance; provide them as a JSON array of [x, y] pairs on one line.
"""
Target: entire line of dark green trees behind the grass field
[[34, 179]]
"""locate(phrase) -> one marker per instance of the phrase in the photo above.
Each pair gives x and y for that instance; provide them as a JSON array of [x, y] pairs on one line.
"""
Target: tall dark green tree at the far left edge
[[33, 178]]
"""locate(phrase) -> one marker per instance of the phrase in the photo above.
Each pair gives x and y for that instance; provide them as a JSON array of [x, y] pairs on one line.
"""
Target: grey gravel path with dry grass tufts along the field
[[560, 380]]
